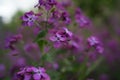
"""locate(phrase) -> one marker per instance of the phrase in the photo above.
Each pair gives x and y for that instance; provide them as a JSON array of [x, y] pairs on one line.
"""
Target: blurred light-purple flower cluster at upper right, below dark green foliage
[[81, 19]]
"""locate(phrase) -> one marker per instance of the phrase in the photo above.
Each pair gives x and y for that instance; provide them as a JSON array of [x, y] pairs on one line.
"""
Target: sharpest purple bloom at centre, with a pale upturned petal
[[61, 37]]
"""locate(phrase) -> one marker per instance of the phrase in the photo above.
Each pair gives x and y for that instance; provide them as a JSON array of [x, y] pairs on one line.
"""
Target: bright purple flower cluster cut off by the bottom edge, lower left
[[33, 73]]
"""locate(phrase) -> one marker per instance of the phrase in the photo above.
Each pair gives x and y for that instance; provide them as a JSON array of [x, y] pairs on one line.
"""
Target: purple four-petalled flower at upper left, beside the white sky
[[29, 18]]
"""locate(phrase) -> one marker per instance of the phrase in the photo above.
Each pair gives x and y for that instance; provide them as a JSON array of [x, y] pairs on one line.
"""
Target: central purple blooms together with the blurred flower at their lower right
[[65, 38]]
